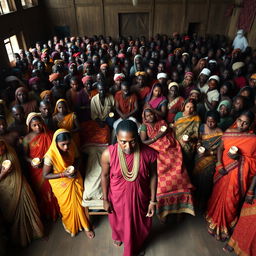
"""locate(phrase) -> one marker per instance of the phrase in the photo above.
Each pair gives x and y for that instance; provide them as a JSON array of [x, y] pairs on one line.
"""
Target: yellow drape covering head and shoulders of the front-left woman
[[54, 154]]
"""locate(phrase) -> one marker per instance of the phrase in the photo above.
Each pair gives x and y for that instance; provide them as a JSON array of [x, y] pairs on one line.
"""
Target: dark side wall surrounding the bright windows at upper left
[[31, 22]]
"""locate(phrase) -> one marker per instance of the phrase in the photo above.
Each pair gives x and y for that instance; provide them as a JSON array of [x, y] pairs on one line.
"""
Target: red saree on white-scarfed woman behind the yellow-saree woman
[[47, 202]]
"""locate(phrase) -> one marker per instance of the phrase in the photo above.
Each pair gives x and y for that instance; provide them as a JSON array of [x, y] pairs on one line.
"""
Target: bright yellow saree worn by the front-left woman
[[68, 191]]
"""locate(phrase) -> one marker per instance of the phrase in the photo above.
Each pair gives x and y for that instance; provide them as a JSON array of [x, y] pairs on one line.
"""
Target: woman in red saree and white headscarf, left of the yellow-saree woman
[[36, 143]]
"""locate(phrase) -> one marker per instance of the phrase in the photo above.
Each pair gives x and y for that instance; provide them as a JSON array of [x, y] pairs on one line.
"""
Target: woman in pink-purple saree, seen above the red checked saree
[[156, 101]]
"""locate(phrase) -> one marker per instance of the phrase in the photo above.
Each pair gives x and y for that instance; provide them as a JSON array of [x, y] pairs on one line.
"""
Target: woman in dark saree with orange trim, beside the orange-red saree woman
[[206, 157]]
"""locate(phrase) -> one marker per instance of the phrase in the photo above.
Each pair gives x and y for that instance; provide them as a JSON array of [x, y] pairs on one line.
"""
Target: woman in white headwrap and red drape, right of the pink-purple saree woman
[[175, 102]]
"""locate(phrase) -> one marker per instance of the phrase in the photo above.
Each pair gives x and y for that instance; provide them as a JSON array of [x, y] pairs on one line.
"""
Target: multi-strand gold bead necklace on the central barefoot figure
[[129, 176]]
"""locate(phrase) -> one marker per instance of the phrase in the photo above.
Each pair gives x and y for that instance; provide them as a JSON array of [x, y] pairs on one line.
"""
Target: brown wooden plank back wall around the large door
[[89, 17]]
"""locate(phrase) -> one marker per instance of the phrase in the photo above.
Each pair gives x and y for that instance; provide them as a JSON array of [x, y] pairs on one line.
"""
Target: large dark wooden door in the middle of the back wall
[[134, 24]]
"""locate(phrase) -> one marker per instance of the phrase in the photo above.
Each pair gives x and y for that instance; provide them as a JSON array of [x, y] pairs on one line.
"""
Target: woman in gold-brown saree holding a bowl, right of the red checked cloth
[[186, 129]]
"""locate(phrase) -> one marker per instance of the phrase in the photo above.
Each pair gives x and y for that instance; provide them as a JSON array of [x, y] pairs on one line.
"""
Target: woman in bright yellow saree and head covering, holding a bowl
[[67, 187]]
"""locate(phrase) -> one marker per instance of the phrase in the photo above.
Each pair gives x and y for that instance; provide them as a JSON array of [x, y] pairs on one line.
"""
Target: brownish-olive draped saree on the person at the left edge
[[18, 204]]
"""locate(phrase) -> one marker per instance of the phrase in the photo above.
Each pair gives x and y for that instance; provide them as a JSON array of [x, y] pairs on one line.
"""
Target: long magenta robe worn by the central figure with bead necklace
[[130, 200]]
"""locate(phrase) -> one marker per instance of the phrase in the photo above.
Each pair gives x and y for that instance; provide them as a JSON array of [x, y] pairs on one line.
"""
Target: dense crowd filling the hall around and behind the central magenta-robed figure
[[192, 98]]
